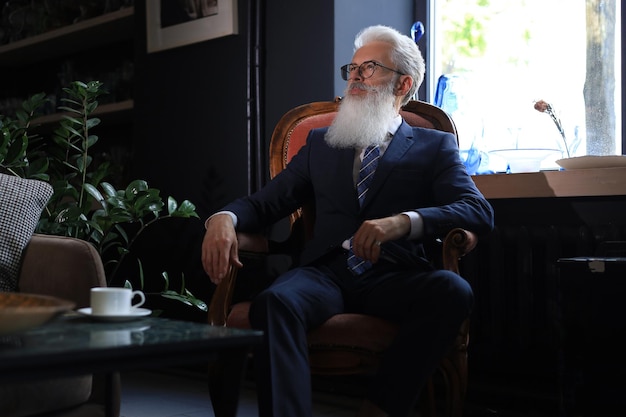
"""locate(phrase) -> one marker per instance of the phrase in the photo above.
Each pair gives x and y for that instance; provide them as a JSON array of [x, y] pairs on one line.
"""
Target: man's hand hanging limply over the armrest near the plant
[[220, 247]]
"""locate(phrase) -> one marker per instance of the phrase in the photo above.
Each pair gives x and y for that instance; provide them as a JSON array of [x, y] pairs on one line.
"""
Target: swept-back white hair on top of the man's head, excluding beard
[[404, 53]]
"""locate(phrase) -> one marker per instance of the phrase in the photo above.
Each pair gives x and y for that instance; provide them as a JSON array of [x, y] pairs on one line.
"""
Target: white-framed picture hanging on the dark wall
[[174, 23]]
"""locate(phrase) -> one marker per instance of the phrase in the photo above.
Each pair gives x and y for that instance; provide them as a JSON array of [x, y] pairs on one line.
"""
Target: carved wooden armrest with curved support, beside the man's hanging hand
[[222, 297]]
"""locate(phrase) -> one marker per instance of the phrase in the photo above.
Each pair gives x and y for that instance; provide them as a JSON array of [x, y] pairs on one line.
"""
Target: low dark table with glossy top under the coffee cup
[[75, 345]]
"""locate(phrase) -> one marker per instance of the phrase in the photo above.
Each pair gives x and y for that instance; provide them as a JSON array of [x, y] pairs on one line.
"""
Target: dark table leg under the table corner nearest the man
[[225, 379]]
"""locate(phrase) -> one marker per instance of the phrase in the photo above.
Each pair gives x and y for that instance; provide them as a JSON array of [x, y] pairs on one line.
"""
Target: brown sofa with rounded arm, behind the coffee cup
[[66, 268]]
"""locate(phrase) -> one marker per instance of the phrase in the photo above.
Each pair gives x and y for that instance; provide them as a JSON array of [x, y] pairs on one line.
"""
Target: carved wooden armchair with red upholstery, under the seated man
[[350, 343]]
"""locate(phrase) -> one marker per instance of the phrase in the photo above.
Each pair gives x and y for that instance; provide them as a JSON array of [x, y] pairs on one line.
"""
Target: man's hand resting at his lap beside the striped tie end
[[373, 233]]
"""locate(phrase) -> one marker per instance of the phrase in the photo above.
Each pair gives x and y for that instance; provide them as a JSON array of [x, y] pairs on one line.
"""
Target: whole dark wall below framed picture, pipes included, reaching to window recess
[[194, 139]]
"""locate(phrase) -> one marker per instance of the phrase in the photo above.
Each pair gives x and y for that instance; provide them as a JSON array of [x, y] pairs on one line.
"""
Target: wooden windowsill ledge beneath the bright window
[[572, 183]]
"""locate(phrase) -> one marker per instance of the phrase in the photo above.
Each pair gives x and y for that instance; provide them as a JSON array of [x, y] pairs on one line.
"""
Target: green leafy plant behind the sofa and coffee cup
[[84, 205]]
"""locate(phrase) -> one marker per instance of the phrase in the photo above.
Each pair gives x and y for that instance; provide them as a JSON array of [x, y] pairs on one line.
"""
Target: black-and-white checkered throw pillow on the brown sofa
[[21, 204]]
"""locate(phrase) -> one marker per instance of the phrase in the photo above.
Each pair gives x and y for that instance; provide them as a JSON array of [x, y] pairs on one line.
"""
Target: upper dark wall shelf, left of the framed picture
[[91, 33]]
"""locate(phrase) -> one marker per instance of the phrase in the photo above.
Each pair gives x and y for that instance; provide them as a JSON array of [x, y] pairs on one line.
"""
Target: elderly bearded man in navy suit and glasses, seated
[[365, 255]]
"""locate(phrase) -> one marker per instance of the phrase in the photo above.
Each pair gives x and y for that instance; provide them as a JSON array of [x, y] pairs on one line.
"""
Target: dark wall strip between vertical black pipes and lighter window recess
[[298, 57]]
